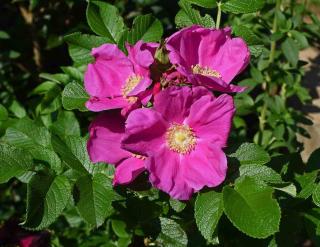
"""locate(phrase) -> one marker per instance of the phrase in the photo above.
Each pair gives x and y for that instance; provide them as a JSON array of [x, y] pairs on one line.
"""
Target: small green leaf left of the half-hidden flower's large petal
[[66, 124]]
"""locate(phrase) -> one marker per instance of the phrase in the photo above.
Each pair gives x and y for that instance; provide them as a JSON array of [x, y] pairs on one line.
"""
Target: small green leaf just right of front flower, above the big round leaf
[[251, 154]]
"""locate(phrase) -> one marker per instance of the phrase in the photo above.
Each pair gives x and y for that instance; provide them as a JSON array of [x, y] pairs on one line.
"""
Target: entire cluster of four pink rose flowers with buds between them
[[166, 121]]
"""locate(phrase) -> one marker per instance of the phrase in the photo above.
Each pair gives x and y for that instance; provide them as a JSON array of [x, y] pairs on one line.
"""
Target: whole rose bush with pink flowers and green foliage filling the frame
[[170, 137]]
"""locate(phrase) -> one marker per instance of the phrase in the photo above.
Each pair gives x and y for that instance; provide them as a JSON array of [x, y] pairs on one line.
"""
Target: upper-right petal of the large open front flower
[[211, 119]]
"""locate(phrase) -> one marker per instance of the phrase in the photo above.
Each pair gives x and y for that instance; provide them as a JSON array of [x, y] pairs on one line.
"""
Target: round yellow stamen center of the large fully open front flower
[[181, 138]]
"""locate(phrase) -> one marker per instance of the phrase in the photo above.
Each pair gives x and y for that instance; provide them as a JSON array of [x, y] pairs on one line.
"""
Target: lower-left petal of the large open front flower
[[167, 174]]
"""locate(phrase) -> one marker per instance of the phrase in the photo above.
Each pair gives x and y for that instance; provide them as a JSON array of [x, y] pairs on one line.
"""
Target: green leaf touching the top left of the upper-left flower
[[80, 46]]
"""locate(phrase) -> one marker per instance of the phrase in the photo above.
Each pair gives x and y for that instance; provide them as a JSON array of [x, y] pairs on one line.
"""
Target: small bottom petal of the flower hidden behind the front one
[[128, 170]]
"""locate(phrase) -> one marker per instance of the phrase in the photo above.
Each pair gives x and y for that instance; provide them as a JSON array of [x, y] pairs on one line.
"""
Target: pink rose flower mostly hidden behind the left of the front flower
[[104, 145]]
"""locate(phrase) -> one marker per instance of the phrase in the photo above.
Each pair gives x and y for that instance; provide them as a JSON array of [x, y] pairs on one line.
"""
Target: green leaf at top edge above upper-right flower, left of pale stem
[[191, 16]]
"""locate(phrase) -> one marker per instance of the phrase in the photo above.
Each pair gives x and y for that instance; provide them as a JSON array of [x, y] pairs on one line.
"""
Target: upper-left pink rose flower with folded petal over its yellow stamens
[[115, 80]]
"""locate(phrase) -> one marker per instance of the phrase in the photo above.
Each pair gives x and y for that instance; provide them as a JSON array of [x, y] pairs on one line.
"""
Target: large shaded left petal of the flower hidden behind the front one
[[106, 132]]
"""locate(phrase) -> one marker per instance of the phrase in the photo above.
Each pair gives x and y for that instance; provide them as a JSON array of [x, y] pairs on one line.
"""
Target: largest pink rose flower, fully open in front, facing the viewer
[[183, 136]]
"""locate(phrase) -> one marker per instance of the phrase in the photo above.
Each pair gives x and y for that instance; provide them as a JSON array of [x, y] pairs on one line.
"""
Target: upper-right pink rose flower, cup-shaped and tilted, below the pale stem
[[208, 57]]
